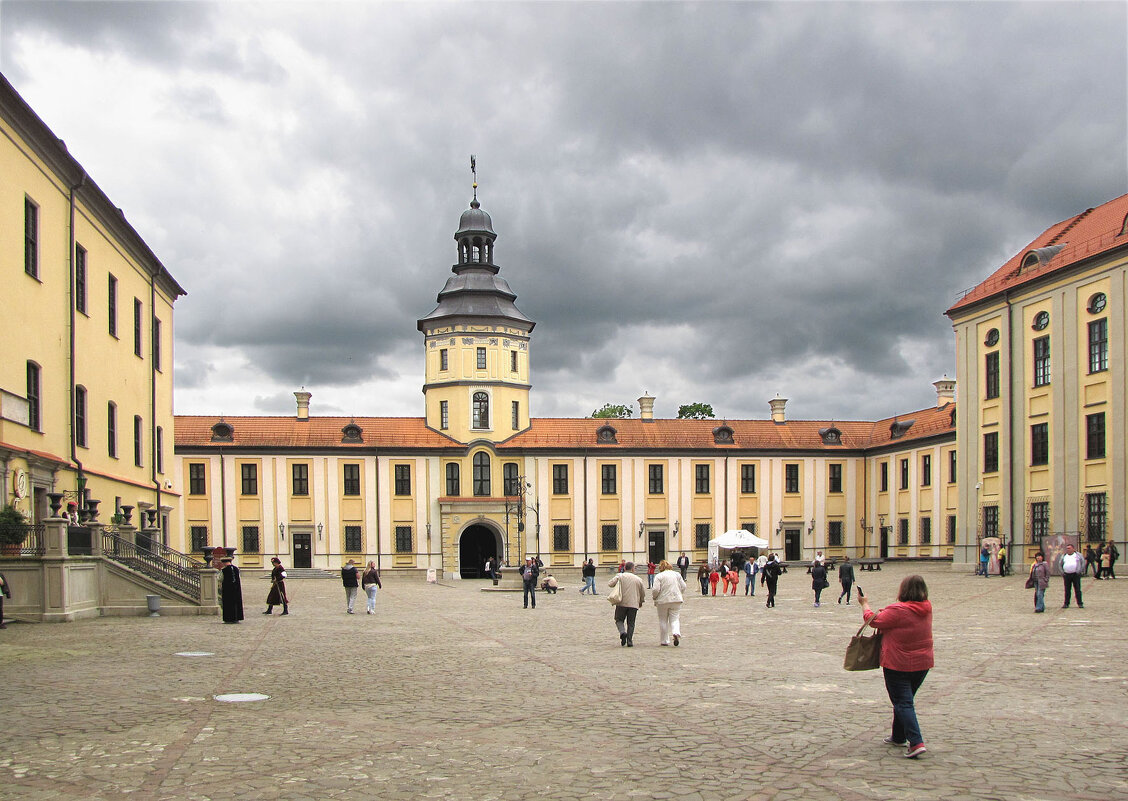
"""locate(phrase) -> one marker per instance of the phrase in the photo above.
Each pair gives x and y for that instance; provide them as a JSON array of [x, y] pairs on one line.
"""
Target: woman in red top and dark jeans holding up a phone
[[906, 657]]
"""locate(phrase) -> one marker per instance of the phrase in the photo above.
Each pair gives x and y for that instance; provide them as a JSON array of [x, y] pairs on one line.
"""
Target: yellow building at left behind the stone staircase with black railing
[[86, 380]]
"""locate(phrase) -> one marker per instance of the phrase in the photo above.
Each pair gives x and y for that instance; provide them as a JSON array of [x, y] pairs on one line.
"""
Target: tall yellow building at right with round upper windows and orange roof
[[1041, 363]]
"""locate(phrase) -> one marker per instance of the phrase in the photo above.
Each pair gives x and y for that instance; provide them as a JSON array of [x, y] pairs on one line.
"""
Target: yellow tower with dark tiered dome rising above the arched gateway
[[477, 345]]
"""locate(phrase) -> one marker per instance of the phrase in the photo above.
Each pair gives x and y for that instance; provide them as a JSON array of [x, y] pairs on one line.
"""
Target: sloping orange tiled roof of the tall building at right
[[1090, 234]]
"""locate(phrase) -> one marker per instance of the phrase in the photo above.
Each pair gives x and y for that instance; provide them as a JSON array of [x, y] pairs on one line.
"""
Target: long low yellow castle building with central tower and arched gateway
[[479, 477]]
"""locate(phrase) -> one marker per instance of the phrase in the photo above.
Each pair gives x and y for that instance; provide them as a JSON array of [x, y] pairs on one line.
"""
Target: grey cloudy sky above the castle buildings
[[709, 203]]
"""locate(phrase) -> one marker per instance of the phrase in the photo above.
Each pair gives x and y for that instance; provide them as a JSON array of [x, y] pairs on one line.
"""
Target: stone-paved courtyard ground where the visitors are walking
[[450, 692]]
